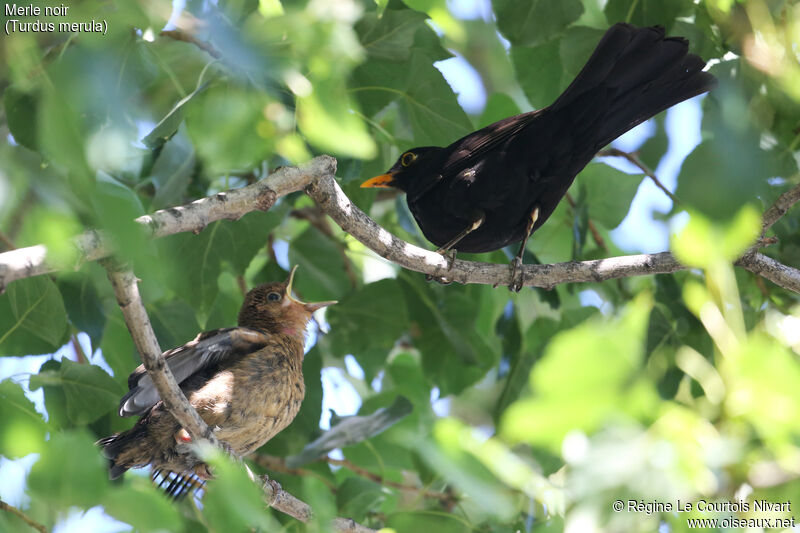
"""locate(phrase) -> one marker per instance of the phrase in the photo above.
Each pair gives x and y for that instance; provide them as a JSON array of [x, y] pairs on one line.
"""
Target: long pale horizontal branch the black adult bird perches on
[[317, 176]]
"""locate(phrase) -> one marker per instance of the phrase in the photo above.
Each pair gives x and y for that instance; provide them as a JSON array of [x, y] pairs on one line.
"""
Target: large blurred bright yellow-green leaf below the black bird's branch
[[609, 356]]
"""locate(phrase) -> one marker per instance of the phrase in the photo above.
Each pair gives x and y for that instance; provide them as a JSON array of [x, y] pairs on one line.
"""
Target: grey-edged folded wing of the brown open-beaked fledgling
[[206, 350]]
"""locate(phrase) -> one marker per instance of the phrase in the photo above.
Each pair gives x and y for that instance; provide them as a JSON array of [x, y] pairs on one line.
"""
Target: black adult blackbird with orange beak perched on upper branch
[[497, 185]]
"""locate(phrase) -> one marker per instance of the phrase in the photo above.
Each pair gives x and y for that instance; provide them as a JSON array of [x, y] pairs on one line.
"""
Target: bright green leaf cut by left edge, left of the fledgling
[[23, 429]]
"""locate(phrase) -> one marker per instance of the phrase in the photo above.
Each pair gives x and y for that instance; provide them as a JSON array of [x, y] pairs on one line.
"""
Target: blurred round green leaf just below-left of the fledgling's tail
[[71, 471]]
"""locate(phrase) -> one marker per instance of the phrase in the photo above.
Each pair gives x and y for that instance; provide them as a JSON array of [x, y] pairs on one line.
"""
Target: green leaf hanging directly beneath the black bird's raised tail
[[609, 192]]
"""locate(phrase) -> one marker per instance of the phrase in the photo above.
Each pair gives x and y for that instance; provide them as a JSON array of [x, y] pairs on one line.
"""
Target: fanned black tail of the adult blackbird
[[632, 75]]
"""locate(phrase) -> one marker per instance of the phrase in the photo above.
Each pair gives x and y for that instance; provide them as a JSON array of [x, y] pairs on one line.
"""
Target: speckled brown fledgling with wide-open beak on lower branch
[[245, 382]]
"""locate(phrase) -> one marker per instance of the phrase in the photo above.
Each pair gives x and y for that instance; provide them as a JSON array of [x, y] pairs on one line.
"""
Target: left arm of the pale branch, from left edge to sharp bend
[[230, 205]]
